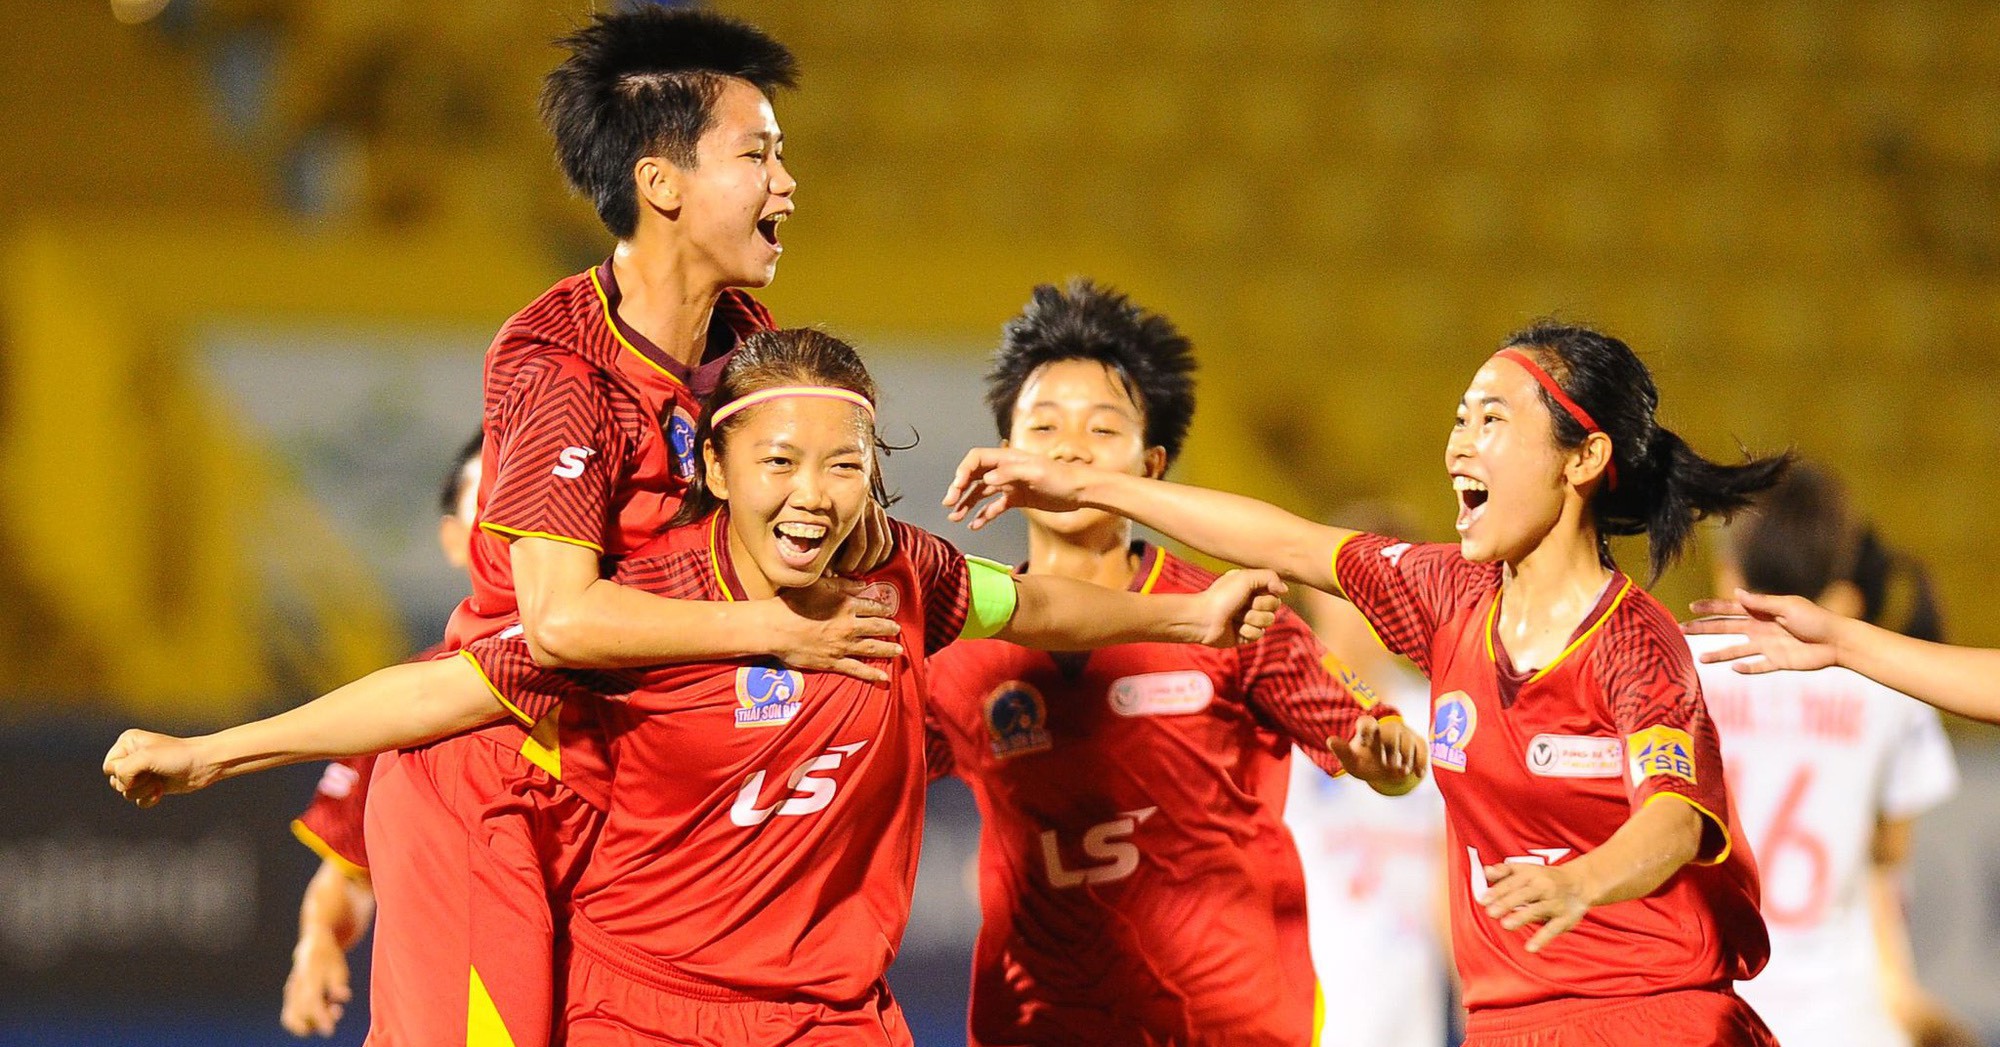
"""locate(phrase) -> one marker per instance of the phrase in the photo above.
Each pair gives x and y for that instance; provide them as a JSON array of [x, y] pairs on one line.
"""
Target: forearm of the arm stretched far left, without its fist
[[391, 708]]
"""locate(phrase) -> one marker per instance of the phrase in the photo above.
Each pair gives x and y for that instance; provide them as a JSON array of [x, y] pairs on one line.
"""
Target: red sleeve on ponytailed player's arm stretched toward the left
[[1407, 590]]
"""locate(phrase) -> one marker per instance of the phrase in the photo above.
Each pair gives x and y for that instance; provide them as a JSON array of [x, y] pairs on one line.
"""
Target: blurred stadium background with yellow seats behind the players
[[253, 251]]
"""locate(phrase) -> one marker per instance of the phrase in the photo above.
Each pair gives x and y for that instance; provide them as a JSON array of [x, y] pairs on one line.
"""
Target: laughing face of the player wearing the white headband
[[797, 477]]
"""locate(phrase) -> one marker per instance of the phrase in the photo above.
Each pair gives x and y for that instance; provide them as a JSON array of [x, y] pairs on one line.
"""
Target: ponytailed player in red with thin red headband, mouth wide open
[[1567, 708]]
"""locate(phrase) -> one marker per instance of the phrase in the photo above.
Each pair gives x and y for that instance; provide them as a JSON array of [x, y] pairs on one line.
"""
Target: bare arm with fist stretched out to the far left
[[393, 708]]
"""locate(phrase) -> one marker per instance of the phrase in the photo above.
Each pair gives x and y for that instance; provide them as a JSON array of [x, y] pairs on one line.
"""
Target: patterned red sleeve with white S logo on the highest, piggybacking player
[[561, 455]]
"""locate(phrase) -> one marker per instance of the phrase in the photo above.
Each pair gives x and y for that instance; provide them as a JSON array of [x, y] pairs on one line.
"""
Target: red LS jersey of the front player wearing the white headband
[[763, 822]]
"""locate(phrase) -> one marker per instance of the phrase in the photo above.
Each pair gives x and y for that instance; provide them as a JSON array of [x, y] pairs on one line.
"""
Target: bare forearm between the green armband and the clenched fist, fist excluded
[[1063, 614]]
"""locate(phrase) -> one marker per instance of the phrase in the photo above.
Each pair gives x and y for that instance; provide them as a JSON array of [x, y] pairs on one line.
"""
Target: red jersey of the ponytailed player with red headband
[[1547, 766]]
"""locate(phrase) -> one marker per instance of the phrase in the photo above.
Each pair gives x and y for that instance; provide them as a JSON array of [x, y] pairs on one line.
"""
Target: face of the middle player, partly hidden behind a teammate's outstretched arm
[[1079, 411]]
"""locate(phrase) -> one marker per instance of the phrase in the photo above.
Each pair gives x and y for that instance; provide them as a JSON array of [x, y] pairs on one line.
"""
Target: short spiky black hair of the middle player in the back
[[1089, 323]]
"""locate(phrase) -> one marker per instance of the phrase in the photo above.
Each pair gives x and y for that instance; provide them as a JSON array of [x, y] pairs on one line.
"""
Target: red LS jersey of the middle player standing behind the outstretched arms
[[1137, 880]]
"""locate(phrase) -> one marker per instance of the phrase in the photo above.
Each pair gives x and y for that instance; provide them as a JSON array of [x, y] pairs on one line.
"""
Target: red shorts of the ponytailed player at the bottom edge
[[1691, 1018]]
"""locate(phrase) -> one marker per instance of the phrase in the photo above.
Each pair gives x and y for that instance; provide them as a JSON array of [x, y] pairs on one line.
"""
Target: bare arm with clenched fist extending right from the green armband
[[1061, 614]]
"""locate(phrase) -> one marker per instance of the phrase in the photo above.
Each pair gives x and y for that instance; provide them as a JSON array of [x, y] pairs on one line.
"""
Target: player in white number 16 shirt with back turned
[[1829, 772]]
